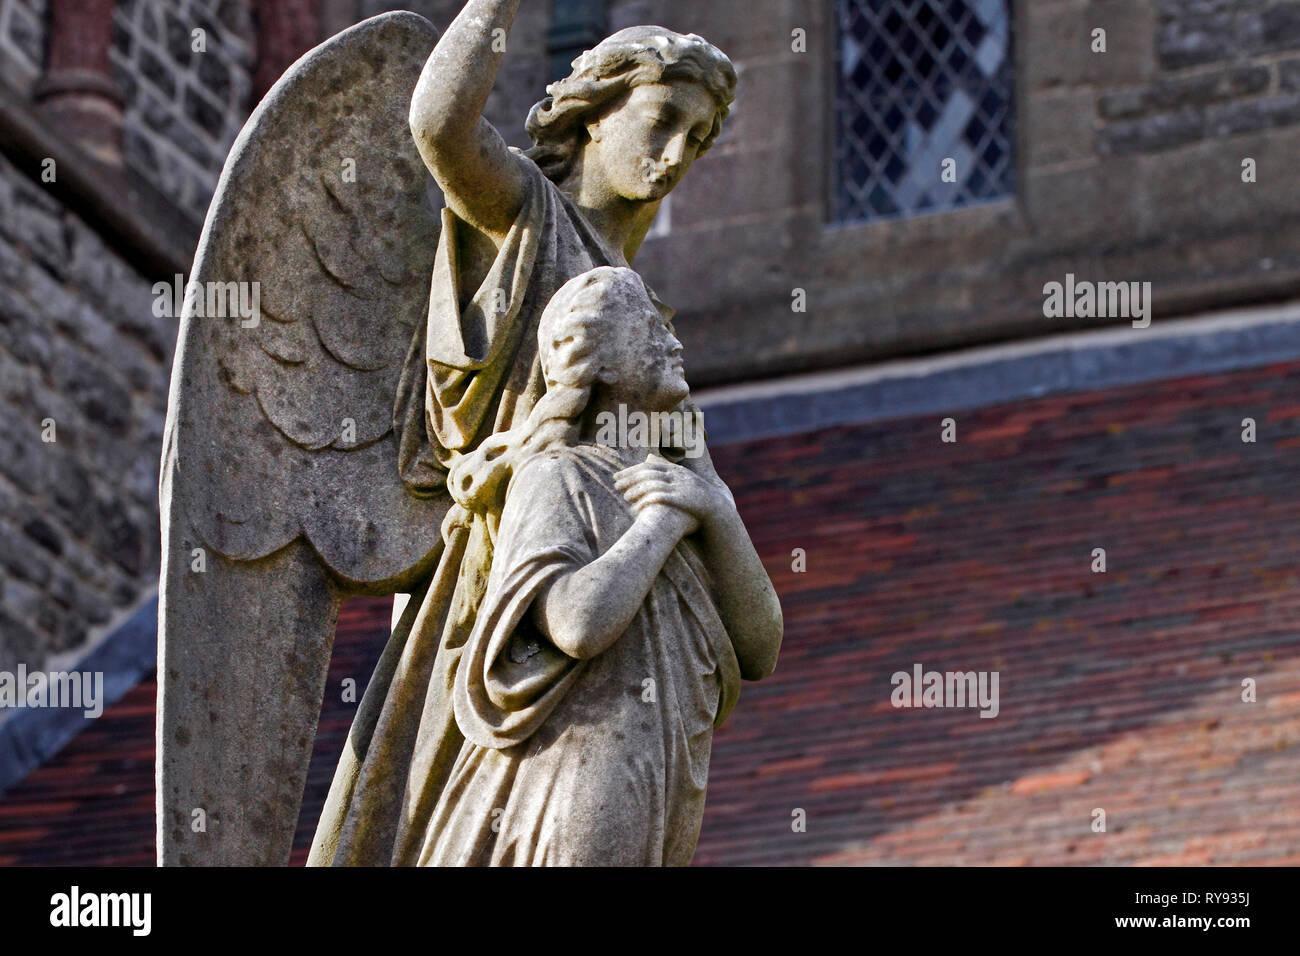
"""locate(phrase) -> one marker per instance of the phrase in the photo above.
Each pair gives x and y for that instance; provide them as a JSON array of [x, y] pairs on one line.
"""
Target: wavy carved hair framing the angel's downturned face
[[601, 76]]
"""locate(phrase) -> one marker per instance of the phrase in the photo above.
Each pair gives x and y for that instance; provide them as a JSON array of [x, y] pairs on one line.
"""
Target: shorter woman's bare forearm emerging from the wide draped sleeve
[[586, 611]]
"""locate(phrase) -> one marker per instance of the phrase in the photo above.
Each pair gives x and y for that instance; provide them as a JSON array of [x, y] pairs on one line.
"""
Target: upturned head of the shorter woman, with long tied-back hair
[[601, 343]]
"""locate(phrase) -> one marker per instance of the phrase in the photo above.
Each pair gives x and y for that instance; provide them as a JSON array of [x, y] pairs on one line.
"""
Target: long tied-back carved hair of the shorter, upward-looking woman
[[587, 314]]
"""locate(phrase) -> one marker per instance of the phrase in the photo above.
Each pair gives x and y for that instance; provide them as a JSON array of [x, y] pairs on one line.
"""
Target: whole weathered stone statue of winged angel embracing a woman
[[375, 431]]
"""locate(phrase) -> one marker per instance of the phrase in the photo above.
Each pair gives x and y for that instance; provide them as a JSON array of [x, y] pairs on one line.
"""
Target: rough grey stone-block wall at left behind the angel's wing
[[79, 341]]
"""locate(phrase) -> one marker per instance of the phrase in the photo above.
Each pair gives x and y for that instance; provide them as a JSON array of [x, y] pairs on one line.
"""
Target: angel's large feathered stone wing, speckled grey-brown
[[280, 485]]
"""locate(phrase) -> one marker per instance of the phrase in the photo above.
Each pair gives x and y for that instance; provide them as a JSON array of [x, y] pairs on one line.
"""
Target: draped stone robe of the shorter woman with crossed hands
[[603, 762]]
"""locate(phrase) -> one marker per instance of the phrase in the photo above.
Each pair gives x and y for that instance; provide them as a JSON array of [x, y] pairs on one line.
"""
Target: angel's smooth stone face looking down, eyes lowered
[[648, 144]]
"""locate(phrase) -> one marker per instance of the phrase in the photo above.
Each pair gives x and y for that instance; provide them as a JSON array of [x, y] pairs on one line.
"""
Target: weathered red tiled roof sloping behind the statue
[[1120, 691]]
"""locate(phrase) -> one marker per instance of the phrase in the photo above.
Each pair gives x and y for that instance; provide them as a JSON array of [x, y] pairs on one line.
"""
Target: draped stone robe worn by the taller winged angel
[[473, 374]]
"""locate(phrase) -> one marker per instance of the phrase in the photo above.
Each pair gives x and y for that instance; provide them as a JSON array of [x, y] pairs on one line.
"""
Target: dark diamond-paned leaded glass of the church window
[[920, 83]]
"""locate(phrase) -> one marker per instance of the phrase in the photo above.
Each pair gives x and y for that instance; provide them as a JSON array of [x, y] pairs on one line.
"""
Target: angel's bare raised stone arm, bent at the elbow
[[473, 165]]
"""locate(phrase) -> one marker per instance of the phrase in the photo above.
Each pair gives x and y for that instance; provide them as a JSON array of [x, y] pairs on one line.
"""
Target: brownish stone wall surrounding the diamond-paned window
[[1129, 168]]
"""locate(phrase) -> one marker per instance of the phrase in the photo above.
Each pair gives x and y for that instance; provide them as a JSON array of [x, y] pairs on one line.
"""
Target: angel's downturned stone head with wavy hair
[[638, 110]]
